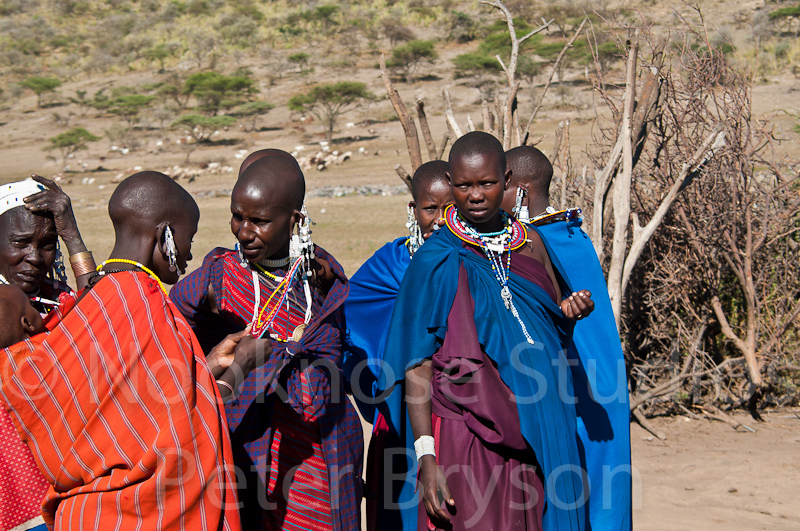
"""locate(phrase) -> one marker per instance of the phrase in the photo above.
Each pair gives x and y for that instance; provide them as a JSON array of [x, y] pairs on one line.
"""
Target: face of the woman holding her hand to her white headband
[[27, 248]]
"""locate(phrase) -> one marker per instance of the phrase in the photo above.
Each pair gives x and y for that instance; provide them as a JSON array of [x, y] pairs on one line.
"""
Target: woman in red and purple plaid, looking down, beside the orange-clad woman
[[298, 443]]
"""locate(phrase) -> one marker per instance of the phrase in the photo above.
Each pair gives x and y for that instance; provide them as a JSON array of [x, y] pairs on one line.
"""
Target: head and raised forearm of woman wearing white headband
[[34, 213]]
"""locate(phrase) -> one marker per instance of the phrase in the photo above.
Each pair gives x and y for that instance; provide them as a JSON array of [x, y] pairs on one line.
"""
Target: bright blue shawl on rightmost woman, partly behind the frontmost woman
[[599, 377]]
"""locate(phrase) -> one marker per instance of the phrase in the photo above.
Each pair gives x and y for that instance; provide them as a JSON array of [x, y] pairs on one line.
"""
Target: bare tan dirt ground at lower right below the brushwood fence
[[708, 476]]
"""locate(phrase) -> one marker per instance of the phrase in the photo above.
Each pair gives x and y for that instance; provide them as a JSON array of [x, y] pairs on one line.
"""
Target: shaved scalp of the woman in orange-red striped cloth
[[148, 198]]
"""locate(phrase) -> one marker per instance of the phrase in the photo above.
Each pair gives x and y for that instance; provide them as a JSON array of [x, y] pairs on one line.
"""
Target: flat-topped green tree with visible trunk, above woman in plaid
[[327, 102]]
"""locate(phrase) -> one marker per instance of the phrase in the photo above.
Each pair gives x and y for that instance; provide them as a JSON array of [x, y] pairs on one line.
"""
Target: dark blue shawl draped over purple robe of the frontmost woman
[[536, 374]]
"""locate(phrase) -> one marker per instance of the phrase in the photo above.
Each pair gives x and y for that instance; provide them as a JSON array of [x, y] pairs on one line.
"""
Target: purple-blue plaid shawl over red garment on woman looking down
[[311, 364]]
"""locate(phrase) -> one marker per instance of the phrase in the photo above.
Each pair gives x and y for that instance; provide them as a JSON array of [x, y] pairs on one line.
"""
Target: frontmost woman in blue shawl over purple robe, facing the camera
[[477, 340]]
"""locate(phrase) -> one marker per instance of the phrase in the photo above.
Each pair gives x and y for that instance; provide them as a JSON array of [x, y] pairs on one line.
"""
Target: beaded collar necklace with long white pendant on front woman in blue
[[494, 244]]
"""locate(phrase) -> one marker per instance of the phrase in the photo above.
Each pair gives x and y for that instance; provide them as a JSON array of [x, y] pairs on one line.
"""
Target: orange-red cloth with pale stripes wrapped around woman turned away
[[122, 416]]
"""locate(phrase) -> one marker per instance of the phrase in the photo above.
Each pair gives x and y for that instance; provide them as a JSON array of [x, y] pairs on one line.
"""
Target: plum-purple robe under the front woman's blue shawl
[[491, 471]]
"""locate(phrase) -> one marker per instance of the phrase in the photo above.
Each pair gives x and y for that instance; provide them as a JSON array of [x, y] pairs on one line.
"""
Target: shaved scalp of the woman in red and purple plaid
[[277, 175]]
